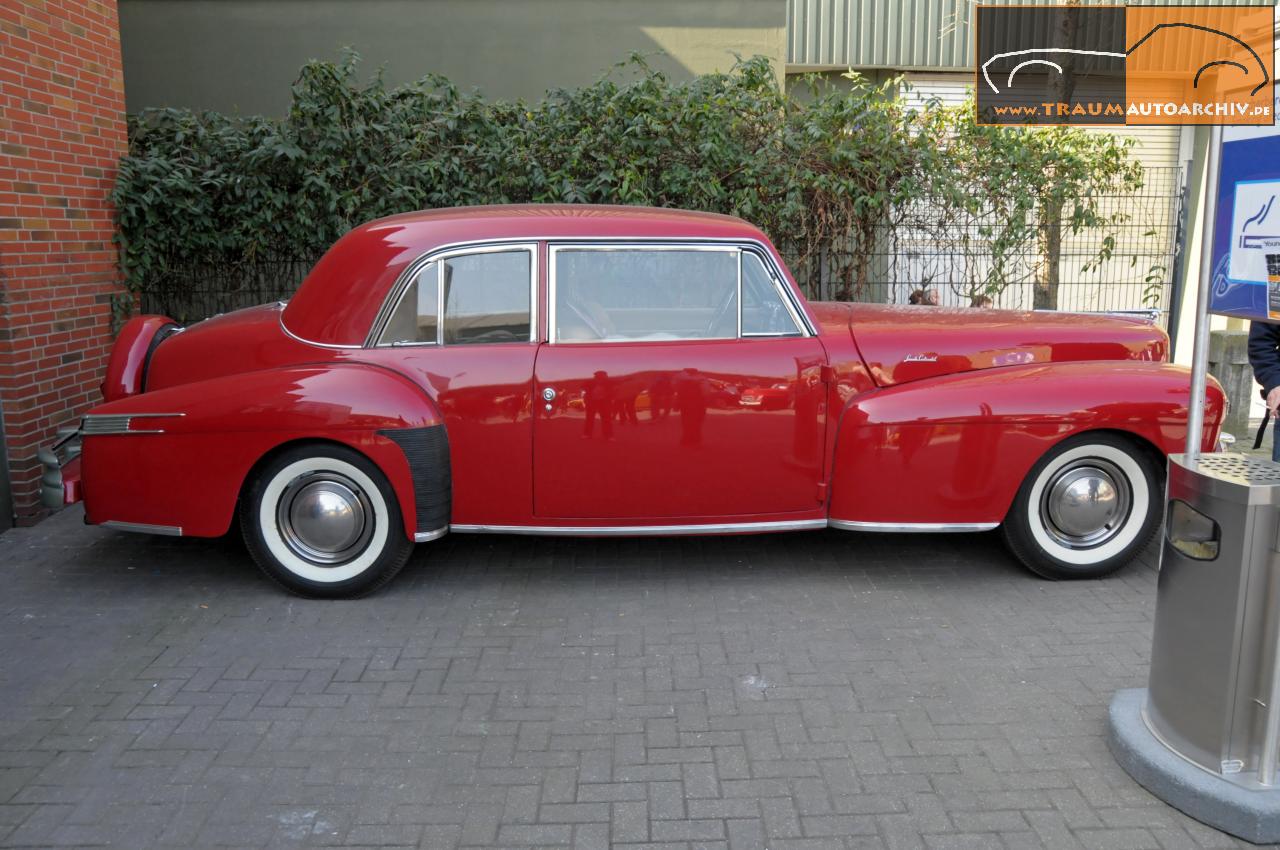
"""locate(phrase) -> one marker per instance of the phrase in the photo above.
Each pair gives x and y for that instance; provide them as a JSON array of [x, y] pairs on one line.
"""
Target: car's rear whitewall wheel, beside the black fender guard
[[323, 522]]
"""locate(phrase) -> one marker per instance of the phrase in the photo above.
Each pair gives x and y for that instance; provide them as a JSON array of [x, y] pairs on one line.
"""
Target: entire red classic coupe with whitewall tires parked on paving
[[584, 371]]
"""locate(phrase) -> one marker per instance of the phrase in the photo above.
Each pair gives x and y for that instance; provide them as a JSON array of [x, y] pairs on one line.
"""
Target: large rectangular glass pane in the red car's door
[[646, 294]]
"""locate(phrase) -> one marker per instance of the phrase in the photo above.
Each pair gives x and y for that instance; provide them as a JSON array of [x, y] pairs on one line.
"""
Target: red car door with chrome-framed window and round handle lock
[[679, 383]]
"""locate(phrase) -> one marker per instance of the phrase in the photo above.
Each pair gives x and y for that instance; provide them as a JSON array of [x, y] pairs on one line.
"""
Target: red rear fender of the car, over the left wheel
[[189, 477]]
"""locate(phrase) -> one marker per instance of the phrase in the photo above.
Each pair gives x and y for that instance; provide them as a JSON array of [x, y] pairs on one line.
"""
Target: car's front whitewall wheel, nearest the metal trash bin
[[1086, 509]]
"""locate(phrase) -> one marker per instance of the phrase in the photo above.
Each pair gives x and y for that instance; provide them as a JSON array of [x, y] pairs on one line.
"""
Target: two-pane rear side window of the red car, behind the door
[[484, 298]]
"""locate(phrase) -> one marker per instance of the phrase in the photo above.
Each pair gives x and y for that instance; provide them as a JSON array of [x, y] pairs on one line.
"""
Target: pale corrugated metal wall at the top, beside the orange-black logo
[[898, 34]]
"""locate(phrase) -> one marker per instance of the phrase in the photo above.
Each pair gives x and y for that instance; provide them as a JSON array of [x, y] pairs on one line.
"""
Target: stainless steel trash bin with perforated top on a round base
[[1214, 696]]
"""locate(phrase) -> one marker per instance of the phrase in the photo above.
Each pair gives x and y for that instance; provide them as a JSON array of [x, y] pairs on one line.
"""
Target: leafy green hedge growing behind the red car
[[203, 189]]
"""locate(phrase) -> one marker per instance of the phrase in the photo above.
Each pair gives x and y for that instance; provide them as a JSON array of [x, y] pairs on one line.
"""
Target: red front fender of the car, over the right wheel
[[954, 450]]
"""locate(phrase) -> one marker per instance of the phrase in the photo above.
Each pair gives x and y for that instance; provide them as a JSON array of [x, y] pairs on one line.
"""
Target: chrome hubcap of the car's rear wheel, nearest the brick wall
[[326, 519]]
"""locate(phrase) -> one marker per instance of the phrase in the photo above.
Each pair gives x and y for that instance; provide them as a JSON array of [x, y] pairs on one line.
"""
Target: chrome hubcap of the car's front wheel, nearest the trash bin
[[1086, 504]]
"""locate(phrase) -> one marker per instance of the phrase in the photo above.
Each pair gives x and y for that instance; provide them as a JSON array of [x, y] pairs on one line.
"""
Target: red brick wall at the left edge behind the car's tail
[[62, 132]]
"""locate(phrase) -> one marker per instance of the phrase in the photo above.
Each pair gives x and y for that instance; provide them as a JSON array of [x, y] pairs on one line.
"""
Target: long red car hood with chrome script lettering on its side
[[902, 345]]
